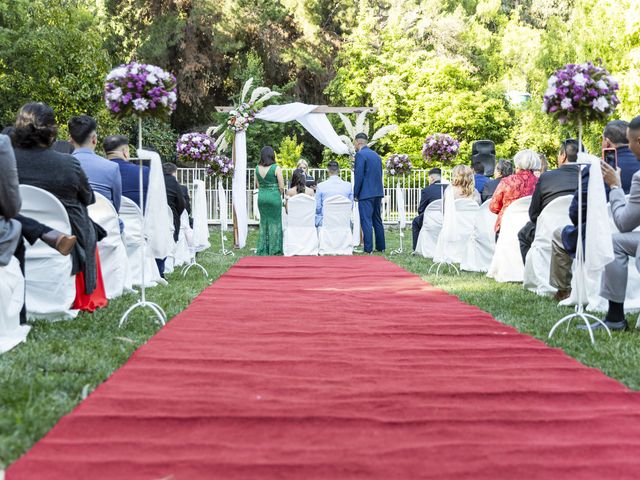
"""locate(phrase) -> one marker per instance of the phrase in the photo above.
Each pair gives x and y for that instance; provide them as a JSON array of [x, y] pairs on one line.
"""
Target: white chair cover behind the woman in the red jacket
[[507, 265]]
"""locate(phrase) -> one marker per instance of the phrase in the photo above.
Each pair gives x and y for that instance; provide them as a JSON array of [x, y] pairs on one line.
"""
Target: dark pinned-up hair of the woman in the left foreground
[[35, 126]]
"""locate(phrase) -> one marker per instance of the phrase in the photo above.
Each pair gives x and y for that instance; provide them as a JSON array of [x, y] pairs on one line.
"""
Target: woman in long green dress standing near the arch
[[271, 185]]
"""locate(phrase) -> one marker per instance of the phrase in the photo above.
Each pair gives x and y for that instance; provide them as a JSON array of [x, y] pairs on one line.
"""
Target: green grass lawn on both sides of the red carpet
[[45, 378]]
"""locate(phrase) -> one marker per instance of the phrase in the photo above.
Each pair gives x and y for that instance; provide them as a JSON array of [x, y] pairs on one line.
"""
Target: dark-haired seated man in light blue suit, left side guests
[[103, 175]]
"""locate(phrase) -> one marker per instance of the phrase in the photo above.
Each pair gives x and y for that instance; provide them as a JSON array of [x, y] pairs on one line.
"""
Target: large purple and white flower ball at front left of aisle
[[141, 90]]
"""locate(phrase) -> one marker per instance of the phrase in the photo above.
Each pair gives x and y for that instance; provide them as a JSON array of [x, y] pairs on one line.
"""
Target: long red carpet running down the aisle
[[335, 368]]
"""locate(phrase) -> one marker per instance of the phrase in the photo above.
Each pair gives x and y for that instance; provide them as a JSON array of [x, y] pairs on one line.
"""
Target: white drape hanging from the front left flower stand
[[157, 225]]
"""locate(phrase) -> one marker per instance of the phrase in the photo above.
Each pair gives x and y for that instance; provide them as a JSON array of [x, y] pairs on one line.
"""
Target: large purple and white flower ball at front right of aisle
[[580, 92]]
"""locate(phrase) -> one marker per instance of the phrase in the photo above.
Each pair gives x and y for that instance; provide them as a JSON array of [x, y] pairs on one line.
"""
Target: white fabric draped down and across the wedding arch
[[317, 124]]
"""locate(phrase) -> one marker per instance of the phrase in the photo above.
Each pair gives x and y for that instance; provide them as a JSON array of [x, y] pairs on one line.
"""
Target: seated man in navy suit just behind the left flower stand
[[116, 148]]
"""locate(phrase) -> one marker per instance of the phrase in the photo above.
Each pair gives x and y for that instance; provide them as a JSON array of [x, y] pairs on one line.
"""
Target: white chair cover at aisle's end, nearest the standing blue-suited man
[[335, 234]]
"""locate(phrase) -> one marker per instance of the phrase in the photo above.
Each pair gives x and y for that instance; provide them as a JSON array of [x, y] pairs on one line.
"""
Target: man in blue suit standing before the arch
[[368, 191]]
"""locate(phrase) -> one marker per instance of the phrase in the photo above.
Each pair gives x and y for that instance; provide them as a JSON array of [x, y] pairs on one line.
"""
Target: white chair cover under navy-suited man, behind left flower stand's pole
[[133, 238]]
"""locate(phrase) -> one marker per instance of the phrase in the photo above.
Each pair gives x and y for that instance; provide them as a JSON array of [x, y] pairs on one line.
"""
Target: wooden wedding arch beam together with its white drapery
[[312, 117]]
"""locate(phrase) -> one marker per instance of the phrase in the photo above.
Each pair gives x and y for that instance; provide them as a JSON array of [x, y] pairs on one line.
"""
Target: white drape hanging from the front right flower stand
[[598, 244]]
